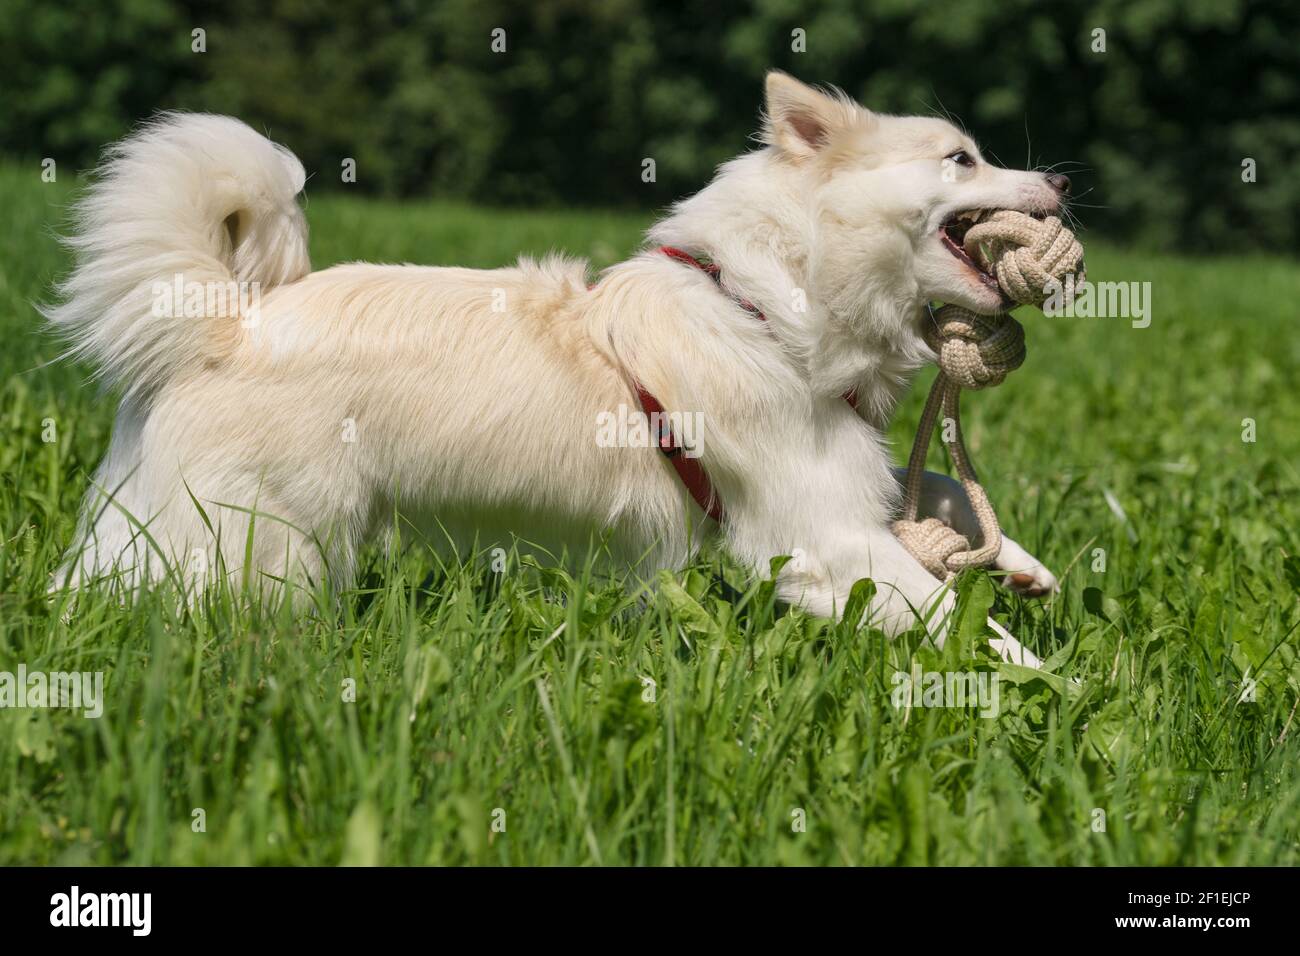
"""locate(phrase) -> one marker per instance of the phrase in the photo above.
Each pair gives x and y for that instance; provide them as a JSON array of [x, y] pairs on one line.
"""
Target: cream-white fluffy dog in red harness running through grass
[[315, 406]]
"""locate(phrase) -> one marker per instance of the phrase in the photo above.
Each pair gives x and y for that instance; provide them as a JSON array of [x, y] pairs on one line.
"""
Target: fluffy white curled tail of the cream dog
[[188, 223]]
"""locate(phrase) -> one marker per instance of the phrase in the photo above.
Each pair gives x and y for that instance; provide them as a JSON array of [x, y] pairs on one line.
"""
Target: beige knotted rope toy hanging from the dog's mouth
[[976, 352]]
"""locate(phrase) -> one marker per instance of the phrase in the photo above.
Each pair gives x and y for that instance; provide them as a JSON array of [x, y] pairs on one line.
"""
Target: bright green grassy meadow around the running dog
[[525, 691]]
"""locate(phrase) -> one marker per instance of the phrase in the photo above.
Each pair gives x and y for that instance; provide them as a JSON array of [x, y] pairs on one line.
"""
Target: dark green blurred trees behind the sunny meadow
[[1155, 129]]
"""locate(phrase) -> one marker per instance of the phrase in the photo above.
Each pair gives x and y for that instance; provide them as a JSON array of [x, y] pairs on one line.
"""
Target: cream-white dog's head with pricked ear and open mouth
[[892, 197]]
